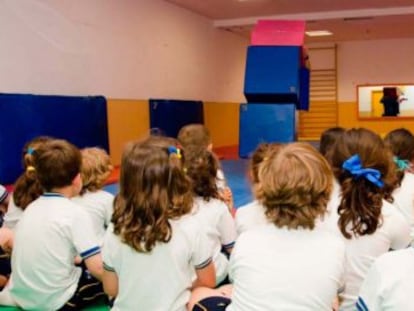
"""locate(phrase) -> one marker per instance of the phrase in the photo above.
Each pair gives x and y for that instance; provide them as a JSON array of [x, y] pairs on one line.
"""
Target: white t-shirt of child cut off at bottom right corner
[[389, 284]]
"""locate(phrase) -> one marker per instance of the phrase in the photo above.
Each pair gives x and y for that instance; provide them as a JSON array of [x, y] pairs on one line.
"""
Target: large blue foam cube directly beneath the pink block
[[272, 74]]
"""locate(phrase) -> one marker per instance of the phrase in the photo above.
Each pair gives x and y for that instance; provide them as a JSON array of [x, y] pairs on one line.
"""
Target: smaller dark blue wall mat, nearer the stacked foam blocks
[[171, 115]]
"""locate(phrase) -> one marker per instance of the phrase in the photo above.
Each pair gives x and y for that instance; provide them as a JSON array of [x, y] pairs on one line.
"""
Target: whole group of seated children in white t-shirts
[[316, 237]]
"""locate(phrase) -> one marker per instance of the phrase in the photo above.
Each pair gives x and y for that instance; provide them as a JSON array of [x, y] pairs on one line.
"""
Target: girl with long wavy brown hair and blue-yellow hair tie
[[153, 248]]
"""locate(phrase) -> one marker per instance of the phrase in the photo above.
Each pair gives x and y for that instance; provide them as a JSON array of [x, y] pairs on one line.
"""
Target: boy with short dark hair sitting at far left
[[51, 232]]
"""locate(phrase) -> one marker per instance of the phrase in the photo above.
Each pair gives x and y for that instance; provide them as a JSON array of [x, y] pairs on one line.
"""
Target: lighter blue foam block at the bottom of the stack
[[264, 122]]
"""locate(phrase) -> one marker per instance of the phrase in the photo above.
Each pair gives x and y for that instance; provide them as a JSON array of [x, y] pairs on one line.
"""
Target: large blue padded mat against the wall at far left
[[81, 120]]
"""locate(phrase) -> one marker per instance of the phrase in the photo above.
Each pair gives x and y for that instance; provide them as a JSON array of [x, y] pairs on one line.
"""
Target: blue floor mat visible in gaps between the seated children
[[236, 175]]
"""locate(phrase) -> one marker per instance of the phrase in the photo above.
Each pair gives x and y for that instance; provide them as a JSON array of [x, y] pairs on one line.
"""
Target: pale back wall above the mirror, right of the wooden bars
[[374, 62]]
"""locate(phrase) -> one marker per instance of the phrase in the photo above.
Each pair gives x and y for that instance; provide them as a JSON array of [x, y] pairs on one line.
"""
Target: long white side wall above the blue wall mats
[[118, 48]]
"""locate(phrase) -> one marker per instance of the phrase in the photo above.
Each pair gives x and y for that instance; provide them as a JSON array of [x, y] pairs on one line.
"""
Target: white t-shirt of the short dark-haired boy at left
[[52, 231]]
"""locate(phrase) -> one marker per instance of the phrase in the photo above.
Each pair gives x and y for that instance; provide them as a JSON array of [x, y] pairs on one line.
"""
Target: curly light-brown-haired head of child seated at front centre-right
[[295, 185]]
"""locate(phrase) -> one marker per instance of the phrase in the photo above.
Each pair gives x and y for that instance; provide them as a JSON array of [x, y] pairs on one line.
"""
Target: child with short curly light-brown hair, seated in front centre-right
[[273, 265]]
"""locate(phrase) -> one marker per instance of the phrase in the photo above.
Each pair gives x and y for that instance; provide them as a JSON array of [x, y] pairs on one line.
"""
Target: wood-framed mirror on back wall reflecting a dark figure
[[385, 100]]
